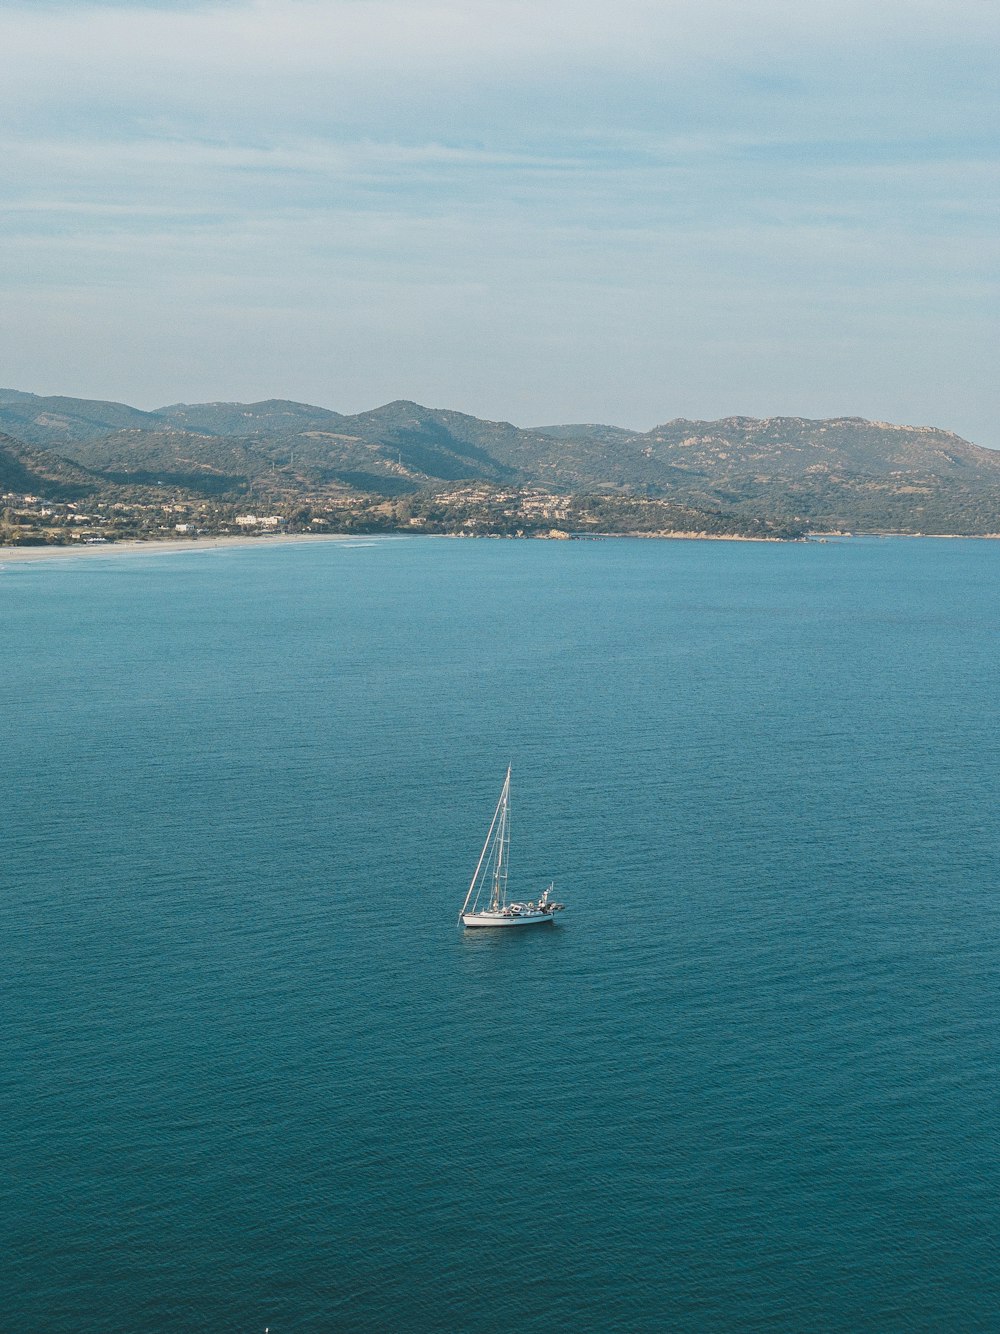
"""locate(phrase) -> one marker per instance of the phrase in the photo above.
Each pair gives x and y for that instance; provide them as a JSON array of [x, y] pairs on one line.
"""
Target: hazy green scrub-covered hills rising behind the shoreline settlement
[[839, 473]]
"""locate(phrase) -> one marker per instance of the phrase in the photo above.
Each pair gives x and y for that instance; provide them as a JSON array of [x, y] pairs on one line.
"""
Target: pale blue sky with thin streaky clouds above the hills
[[530, 210]]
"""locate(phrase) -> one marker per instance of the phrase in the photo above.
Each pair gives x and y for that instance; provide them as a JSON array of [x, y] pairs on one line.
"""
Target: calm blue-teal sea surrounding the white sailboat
[[253, 1075]]
